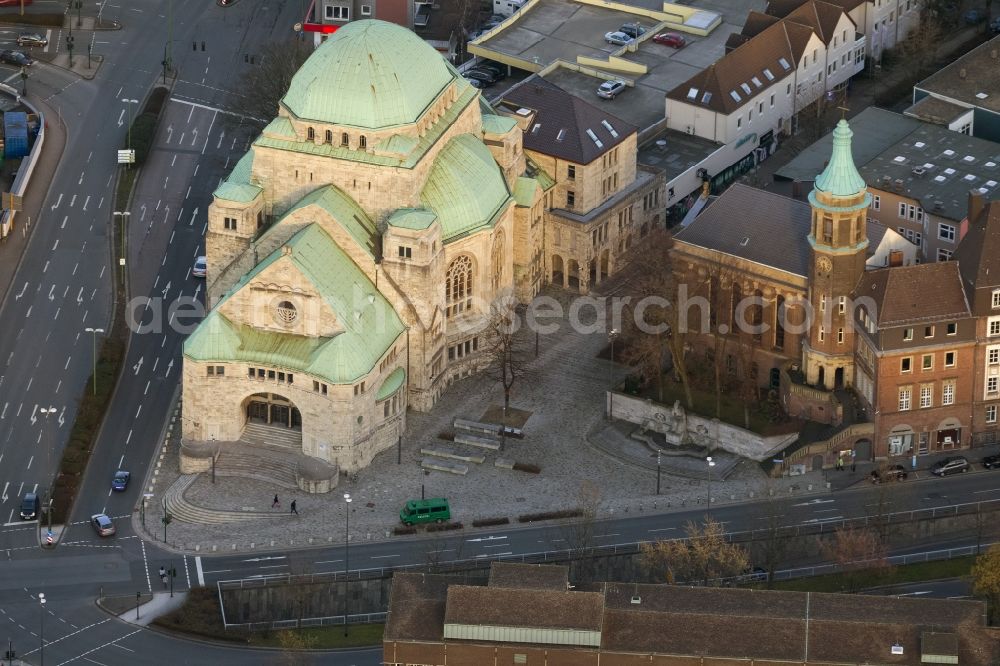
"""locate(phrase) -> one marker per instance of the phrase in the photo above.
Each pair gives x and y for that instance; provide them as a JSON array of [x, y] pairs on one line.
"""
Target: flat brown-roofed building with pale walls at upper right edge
[[964, 95]]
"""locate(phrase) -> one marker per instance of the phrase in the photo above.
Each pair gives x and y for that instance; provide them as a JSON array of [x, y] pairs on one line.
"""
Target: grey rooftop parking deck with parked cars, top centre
[[560, 30]]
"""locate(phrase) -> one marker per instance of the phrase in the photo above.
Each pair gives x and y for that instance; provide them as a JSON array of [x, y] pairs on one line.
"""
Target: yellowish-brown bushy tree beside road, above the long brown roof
[[704, 556]]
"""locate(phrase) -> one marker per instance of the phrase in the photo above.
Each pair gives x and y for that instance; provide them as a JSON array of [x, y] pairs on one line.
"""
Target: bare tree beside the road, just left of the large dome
[[269, 79]]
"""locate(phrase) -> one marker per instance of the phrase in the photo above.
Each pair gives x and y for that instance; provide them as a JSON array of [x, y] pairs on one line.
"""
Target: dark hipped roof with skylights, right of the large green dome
[[565, 126]]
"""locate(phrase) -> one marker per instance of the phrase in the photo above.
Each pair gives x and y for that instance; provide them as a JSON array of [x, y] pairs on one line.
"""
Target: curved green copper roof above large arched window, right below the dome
[[465, 187]]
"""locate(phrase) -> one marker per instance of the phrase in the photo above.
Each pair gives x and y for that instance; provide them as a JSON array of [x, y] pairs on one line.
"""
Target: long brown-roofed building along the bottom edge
[[438, 620]]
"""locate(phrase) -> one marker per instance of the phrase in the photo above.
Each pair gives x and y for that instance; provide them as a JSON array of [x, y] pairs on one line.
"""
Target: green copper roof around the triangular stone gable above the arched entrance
[[370, 323]]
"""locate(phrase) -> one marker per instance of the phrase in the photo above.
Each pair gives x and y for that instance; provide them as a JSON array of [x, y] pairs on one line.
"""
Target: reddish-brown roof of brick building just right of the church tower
[[913, 294]]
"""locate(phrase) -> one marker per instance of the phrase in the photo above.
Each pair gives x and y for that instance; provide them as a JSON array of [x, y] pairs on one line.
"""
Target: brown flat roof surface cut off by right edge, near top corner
[[981, 77]]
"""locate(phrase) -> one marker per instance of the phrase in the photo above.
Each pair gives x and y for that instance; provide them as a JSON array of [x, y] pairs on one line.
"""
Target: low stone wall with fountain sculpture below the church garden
[[681, 427]]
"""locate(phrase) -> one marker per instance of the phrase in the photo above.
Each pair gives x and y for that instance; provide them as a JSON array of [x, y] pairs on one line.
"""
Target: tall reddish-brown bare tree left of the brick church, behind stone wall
[[655, 333]]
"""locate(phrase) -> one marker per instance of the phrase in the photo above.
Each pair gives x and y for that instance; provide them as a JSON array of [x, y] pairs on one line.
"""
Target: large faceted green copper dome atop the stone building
[[368, 74]]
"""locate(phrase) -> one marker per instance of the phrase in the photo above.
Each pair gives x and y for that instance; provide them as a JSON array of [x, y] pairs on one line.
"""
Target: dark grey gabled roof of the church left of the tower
[[755, 225]]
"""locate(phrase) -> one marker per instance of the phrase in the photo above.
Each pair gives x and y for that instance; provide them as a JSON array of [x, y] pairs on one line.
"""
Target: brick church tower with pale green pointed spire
[[838, 242]]
